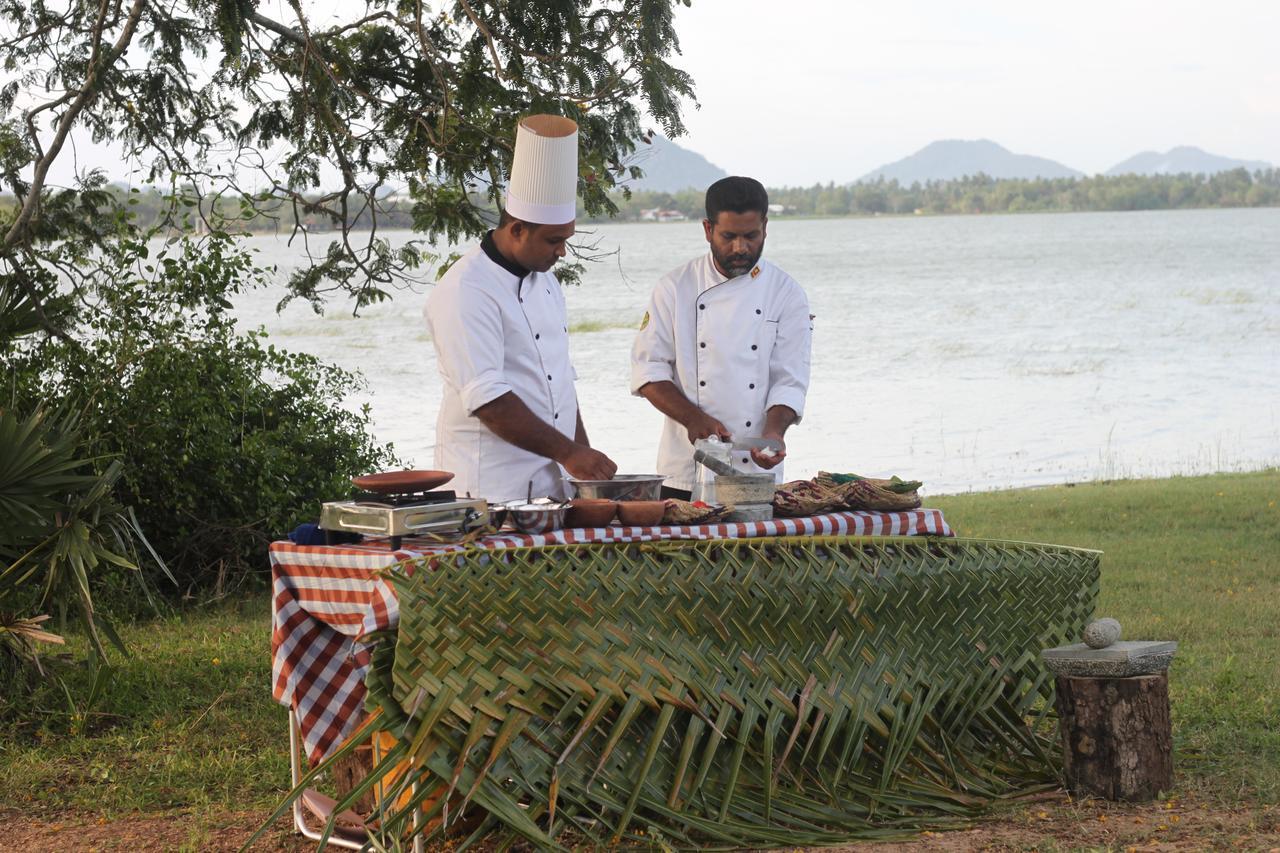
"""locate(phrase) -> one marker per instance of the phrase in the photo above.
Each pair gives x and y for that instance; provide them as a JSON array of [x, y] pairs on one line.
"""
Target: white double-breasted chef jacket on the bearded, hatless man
[[735, 348]]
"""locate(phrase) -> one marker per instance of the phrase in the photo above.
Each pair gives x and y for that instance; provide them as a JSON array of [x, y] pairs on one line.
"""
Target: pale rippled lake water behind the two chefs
[[971, 353]]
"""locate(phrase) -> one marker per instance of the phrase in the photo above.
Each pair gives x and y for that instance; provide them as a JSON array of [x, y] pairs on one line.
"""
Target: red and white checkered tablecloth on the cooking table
[[326, 599]]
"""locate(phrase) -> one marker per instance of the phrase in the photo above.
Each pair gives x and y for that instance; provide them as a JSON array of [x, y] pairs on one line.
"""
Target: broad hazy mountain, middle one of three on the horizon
[[952, 159]]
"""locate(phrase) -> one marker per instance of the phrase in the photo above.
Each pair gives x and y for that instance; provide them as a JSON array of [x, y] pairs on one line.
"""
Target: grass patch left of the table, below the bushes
[[188, 723]]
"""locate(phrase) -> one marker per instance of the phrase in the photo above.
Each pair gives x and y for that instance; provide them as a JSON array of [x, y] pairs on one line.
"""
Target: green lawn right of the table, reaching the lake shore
[[1195, 560]]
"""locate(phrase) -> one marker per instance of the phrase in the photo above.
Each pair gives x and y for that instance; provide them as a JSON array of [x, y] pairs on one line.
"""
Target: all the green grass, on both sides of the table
[[189, 722]]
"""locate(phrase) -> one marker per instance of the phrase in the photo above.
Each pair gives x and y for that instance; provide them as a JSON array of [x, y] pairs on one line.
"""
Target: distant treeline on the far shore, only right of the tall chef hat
[[981, 194]]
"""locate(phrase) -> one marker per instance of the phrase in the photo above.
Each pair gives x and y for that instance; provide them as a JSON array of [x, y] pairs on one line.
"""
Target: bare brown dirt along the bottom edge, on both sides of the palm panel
[[1054, 823]]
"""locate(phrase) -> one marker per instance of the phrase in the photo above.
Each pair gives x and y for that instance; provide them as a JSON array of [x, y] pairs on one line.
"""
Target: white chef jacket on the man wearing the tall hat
[[497, 332]]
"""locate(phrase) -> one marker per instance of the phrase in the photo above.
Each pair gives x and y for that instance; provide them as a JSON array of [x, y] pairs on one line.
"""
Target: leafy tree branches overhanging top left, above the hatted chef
[[273, 113]]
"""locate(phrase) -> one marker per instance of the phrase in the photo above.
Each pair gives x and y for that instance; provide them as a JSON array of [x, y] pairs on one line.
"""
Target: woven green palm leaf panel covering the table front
[[738, 692]]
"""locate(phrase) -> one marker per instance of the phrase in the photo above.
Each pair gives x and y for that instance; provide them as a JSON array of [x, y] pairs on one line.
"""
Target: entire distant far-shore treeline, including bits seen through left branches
[[973, 195]]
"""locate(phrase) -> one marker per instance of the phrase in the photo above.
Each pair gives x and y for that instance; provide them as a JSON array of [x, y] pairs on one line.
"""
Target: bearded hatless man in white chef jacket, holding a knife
[[724, 348]]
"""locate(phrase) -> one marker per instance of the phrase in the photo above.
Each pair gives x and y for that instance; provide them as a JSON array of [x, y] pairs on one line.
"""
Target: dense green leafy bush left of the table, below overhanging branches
[[220, 441]]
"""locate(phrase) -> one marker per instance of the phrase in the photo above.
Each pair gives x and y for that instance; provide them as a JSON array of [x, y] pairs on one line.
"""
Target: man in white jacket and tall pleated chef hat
[[497, 320]]
